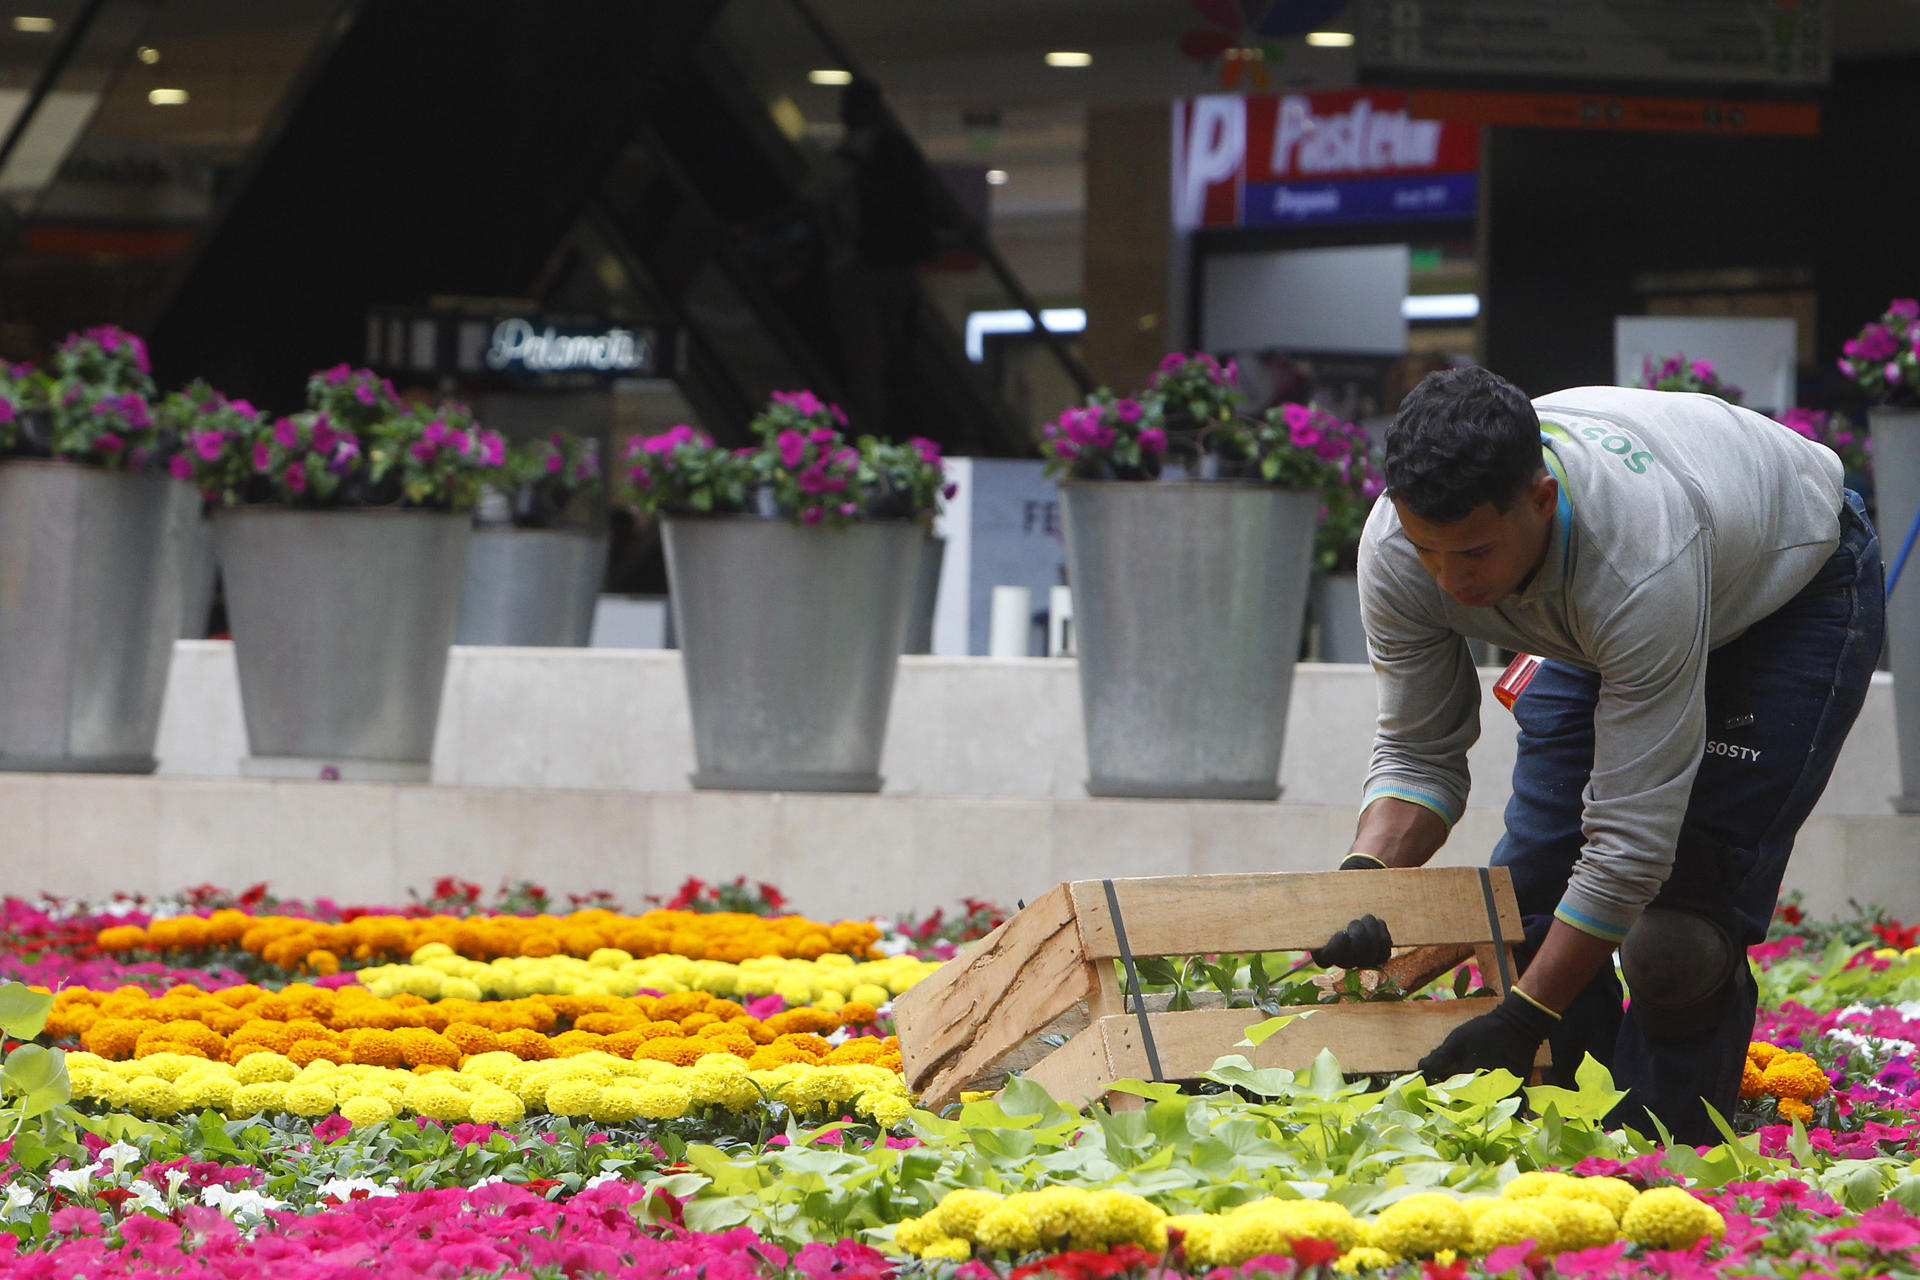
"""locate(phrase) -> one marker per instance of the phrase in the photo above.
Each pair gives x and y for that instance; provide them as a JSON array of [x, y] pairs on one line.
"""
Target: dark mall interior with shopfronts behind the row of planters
[[272, 187]]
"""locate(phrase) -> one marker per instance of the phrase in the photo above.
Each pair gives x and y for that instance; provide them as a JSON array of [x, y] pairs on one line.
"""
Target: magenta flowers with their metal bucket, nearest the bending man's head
[[1191, 534]]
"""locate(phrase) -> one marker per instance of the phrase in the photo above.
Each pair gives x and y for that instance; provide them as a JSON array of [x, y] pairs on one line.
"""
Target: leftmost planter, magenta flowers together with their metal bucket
[[95, 544]]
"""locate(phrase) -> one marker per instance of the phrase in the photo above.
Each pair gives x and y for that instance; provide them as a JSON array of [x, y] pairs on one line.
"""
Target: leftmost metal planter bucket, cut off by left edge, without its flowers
[[91, 598]]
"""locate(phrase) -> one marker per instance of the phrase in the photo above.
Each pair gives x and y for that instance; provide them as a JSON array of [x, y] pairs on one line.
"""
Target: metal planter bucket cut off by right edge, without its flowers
[[1896, 500]]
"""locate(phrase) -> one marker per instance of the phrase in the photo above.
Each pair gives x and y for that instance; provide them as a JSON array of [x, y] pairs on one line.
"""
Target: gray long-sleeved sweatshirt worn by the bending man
[[1683, 523]]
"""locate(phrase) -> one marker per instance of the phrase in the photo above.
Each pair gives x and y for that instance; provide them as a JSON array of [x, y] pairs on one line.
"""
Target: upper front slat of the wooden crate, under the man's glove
[[1280, 913]]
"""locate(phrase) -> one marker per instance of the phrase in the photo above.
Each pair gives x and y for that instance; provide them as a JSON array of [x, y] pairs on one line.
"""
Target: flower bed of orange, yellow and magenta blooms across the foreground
[[748, 1118]]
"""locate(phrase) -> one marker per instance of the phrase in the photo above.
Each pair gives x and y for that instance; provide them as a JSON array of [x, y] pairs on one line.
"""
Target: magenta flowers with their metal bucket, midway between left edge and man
[[807, 542]]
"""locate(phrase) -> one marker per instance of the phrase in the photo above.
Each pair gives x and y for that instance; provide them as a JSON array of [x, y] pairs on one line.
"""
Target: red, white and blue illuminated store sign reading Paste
[[1351, 156]]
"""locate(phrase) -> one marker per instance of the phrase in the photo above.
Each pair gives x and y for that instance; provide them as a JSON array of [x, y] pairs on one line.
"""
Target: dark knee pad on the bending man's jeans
[[1681, 972]]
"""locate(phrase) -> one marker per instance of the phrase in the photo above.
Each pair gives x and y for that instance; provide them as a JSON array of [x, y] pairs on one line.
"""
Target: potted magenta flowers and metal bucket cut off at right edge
[[1883, 364]]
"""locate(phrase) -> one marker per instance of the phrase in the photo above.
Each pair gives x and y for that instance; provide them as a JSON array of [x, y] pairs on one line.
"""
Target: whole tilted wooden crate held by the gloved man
[[1061, 949]]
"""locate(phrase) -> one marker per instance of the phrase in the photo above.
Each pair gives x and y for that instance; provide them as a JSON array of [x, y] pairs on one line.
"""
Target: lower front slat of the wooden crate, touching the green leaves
[[1385, 1037]]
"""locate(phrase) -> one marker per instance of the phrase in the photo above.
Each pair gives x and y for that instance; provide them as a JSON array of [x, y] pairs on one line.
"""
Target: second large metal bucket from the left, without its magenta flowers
[[343, 623]]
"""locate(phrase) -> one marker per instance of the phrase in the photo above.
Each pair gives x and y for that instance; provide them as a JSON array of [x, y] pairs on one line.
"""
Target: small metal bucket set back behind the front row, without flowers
[[531, 588]]
